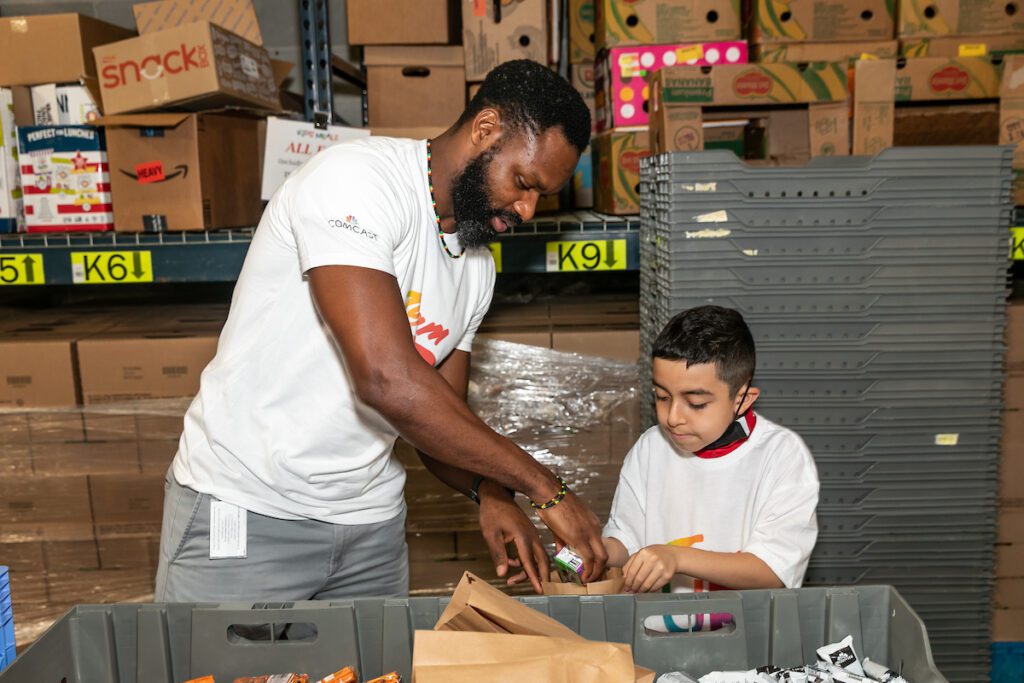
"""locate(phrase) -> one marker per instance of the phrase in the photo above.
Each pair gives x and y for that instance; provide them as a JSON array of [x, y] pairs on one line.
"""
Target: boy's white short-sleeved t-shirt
[[759, 499]]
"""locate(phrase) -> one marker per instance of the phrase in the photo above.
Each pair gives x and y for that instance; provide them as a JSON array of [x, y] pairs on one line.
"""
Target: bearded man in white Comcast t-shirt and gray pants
[[351, 325]]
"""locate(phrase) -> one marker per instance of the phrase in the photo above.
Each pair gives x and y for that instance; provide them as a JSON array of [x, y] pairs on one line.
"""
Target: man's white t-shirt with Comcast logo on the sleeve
[[277, 428]]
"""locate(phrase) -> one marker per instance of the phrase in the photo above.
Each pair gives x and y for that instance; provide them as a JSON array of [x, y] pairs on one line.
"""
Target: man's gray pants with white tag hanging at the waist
[[286, 561]]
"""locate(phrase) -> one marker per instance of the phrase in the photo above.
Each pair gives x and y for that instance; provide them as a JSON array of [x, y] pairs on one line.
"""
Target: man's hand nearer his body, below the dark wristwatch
[[502, 522]]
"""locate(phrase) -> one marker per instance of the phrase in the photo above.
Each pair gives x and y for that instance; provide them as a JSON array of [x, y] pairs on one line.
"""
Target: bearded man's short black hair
[[533, 99]]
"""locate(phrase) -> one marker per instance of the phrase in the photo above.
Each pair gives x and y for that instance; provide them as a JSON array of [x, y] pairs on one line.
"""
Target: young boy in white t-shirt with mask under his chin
[[714, 497]]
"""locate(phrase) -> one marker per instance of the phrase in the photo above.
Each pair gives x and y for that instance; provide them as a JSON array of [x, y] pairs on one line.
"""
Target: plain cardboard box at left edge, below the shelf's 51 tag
[[37, 371]]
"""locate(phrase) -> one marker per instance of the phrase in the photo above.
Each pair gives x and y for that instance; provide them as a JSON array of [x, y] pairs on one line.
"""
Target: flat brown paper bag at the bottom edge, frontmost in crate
[[443, 657]]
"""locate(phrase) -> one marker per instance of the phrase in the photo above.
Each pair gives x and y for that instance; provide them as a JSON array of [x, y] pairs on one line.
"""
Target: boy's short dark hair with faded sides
[[711, 334]]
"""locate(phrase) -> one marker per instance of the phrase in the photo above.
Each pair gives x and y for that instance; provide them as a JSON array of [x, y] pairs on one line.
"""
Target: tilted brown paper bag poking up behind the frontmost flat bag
[[477, 607]]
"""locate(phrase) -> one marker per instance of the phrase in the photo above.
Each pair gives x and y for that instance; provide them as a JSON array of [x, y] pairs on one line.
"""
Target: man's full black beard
[[474, 205]]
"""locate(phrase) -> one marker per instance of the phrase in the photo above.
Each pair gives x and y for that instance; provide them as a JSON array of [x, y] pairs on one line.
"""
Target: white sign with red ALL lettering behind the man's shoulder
[[290, 144]]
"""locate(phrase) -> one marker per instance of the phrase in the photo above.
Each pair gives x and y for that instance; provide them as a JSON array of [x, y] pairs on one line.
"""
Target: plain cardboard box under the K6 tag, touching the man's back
[[120, 367]]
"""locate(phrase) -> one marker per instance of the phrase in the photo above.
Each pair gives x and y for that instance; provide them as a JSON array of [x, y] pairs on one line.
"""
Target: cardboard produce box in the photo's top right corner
[[959, 18]]
